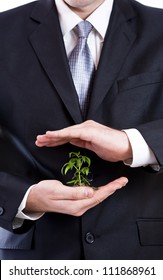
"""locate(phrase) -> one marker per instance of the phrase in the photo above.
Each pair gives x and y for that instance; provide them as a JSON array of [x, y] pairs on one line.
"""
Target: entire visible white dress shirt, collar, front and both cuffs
[[142, 154]]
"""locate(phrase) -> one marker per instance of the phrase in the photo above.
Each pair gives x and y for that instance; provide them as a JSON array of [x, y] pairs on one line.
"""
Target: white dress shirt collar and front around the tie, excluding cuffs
[[99, 19]]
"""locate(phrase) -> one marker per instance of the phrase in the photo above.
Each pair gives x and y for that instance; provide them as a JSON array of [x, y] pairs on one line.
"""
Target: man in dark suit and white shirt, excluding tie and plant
[[121, 132]]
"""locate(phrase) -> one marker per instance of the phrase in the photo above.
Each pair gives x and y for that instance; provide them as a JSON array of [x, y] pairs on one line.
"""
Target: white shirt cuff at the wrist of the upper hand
[[142, 154]]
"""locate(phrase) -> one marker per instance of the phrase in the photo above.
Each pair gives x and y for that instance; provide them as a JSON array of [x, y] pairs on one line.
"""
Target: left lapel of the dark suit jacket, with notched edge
[[48, 44]]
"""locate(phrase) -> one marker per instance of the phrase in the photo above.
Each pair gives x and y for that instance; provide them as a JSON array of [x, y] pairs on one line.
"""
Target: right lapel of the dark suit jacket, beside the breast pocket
[[118, 41]]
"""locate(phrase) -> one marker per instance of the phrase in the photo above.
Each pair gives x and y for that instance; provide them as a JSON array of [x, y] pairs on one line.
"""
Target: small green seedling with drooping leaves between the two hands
[[81, 166]]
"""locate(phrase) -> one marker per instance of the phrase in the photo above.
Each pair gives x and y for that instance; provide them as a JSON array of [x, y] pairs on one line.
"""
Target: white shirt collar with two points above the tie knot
[[99, 18]]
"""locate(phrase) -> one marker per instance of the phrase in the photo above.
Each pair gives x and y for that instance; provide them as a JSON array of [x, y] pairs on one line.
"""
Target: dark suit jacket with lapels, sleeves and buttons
[[37, 94]]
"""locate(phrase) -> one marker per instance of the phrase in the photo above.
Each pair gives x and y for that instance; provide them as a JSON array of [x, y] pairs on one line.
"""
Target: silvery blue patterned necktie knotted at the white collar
[[82, 65]]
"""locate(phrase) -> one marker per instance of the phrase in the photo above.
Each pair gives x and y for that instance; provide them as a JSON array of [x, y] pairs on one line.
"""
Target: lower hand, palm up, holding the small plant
[[53, 196]]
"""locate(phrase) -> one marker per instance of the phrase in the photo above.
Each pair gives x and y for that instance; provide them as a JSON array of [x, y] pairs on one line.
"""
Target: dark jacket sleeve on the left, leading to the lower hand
[[18, 171]]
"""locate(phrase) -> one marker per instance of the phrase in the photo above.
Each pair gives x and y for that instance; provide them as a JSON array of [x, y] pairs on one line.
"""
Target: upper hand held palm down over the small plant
[[109, 144]]
